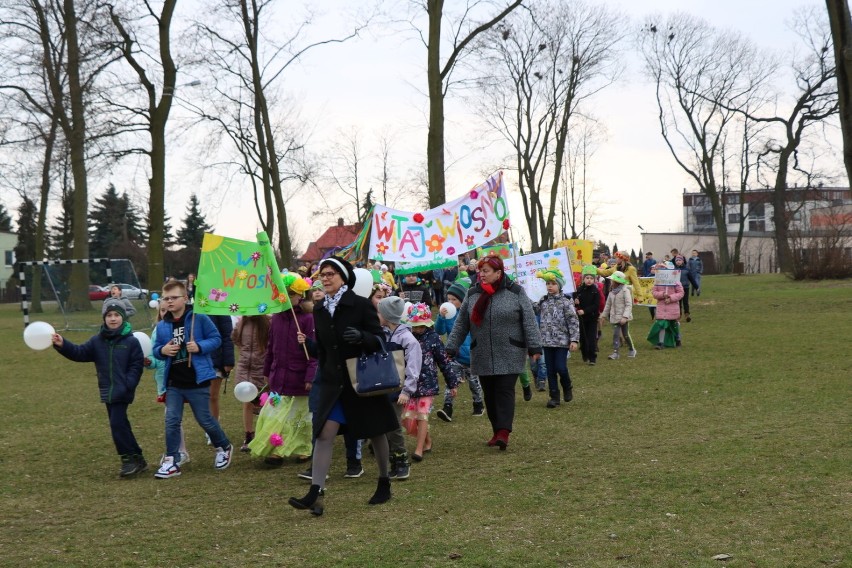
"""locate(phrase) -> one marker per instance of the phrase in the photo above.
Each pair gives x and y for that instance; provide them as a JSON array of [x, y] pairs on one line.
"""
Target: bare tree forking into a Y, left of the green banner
[[156, 109]]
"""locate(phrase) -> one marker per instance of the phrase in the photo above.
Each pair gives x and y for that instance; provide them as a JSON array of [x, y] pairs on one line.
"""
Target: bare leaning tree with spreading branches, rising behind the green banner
[[247, 67]]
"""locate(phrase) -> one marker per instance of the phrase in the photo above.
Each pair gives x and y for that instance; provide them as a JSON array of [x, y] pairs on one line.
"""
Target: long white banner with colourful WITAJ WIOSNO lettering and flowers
[[443, 232]]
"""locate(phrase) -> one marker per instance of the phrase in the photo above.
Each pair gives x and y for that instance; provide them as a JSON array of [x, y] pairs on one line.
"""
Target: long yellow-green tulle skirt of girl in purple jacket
[[289, 417]]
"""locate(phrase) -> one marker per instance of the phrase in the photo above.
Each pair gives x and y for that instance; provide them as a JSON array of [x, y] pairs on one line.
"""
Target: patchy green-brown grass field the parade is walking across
[[739, 443]]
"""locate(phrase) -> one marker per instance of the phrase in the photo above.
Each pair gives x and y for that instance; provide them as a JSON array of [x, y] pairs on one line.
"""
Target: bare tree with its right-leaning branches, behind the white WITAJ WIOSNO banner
[[462, 33]]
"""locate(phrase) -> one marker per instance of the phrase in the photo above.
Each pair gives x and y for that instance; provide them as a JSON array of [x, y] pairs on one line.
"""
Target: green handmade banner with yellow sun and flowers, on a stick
[[239, 278]]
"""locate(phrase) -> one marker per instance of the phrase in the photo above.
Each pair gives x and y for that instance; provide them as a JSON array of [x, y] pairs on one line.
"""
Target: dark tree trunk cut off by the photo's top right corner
[[841, 33]]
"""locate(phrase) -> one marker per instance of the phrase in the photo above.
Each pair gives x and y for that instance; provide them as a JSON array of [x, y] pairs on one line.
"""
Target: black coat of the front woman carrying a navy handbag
[[366, 417]]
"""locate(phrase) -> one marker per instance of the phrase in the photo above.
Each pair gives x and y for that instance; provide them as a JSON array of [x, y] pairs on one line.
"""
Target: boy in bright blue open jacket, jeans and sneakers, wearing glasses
[[185, 340]]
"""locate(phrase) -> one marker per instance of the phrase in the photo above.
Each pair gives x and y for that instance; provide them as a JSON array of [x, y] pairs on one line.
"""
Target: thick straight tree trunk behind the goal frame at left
[[78, 298]]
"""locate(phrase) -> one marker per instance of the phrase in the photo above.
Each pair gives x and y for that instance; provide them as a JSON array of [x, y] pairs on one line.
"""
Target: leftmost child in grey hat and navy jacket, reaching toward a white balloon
[[118, 360]]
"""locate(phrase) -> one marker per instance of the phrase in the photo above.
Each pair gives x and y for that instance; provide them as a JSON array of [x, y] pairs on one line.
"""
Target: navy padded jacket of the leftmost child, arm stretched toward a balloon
[[118, 360]]
